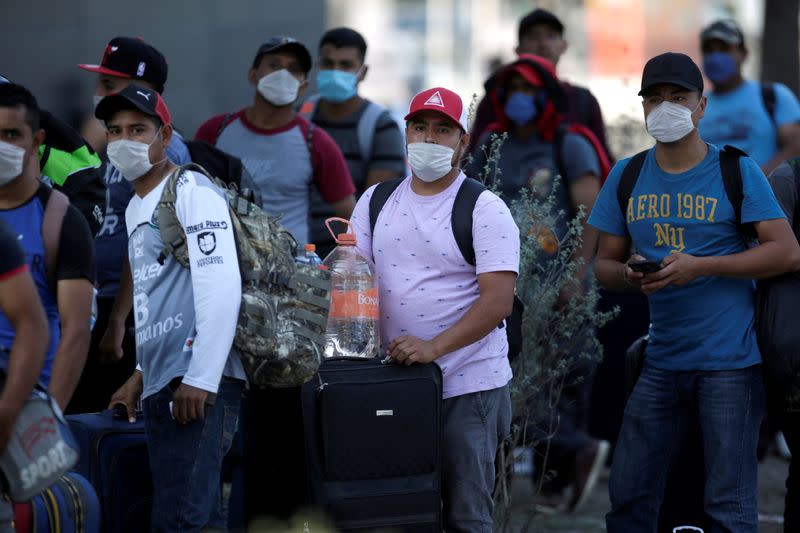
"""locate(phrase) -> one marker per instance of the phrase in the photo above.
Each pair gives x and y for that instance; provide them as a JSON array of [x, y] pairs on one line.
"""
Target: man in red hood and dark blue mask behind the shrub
[[529, 104]]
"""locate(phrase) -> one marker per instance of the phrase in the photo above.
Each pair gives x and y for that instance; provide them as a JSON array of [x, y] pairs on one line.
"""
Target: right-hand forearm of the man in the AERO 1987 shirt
[[764, 261]]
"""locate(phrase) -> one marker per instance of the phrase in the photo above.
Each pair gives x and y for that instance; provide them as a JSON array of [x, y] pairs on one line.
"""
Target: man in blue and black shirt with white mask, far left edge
[[55, 238]]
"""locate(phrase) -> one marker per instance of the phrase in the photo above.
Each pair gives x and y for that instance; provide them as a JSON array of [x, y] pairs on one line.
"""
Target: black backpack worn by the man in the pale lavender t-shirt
[[461, 224]]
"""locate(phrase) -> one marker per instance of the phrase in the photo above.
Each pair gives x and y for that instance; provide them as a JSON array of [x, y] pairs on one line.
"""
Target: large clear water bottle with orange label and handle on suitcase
[[353, 319]]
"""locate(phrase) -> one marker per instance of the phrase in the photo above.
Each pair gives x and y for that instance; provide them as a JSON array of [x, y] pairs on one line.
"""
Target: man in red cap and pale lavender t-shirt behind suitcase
[[439, 305]]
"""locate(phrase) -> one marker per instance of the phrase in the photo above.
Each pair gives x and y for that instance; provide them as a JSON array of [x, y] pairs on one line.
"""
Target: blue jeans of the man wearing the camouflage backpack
[[186, 460]]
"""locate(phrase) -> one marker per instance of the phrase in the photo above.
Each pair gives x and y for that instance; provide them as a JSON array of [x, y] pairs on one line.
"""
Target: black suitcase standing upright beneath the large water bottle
[[373, 442]]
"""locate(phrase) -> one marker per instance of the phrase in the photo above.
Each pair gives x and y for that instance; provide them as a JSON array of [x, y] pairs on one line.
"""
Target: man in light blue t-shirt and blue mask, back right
[[738, 113]]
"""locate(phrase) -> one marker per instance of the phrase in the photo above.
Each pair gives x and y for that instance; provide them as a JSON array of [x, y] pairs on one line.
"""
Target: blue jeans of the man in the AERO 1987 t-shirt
[[728, 406]]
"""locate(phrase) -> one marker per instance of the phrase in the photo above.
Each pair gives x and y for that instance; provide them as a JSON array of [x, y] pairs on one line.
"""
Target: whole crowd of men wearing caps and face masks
[[128, 327]]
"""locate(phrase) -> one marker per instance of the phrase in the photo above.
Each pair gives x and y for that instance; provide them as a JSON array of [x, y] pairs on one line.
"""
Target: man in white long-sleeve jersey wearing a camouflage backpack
[[190, 379]]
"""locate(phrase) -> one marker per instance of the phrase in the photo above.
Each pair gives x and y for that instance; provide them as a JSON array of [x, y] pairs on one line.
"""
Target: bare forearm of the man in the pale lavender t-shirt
[[484, 315]]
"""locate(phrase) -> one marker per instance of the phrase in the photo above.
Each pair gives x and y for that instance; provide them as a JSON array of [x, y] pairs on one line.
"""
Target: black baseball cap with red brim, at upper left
[[128, 57]]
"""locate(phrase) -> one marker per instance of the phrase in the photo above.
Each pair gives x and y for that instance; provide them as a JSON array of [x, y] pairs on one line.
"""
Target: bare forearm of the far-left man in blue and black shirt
[[68, 363]]
